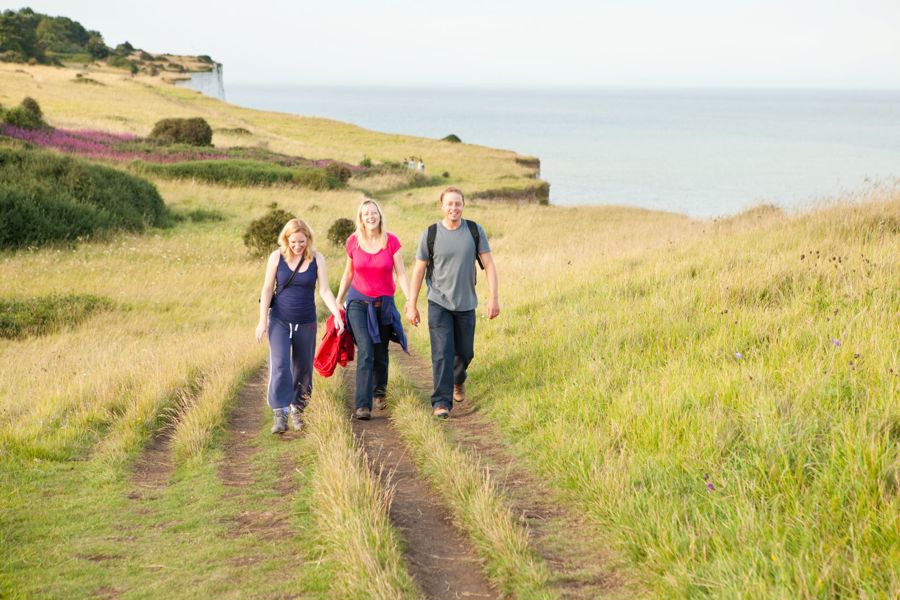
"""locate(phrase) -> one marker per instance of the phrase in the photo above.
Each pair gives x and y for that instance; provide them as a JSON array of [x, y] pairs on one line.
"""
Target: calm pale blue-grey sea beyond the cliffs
[[700, 152]]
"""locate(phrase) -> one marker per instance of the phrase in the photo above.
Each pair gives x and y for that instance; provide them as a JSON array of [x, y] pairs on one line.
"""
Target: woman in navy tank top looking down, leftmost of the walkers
[[291, 320]]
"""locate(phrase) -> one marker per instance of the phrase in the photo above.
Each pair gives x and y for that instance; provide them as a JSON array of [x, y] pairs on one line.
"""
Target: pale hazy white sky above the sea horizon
[[635, 43]]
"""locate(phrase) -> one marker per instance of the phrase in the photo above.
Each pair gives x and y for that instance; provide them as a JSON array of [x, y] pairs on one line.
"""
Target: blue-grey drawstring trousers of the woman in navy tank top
[[292, 348]]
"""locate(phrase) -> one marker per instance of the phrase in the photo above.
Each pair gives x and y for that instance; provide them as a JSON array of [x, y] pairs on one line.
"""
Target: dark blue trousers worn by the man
[[452, 335]]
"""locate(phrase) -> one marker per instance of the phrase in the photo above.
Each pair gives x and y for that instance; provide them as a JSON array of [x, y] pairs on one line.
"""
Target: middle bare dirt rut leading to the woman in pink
[[438, 556]]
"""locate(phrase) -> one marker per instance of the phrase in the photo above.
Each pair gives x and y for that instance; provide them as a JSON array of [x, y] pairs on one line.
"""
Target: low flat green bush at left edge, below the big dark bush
[[24, 317]]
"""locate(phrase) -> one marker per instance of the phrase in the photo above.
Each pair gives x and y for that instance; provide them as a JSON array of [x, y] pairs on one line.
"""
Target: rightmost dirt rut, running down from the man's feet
[[580, 566]]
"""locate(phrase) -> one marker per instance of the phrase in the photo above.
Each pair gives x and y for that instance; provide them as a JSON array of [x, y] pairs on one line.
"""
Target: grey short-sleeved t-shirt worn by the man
[[453, 280]]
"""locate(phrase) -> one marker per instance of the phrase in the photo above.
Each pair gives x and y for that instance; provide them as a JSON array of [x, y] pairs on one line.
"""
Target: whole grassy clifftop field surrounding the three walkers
[[719, 398]]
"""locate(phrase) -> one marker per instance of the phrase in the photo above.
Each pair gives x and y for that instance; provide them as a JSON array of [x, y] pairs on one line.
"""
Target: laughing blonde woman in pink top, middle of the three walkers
[[373, 259]]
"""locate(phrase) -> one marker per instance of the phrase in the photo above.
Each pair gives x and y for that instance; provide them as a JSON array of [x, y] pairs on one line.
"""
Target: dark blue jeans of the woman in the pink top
[[372, 360]]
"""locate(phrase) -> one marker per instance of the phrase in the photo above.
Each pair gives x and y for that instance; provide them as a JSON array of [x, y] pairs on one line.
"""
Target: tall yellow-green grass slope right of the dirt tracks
[[722, 398]]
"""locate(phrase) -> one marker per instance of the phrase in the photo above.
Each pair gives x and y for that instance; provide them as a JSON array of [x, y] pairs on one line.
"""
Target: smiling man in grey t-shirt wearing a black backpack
[[451, 297]]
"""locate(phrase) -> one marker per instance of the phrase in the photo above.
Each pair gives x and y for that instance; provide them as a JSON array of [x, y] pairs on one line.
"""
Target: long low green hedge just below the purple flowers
[[241, 173]]
